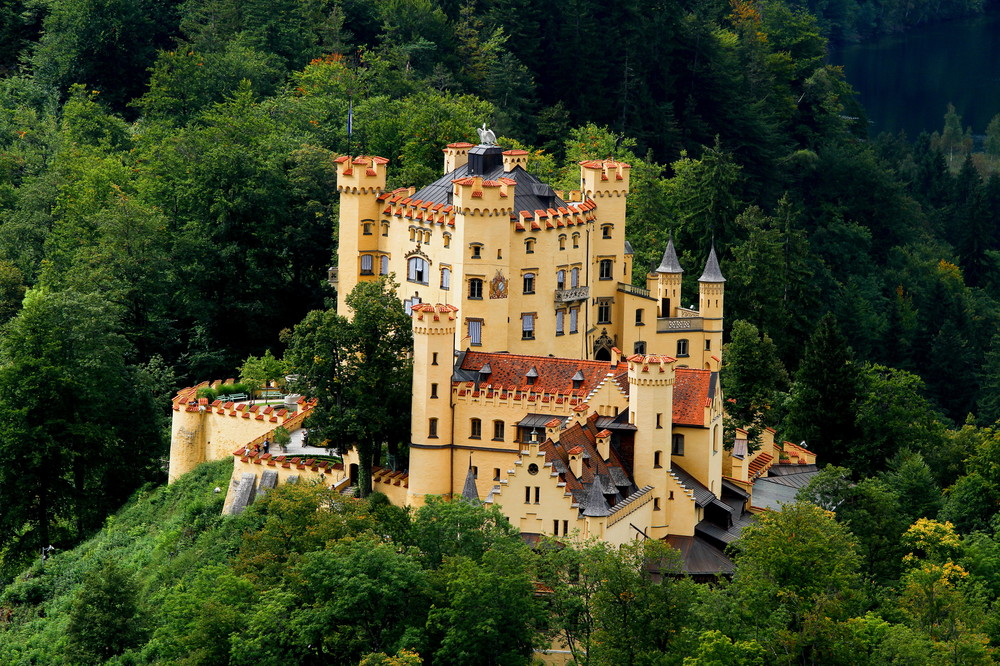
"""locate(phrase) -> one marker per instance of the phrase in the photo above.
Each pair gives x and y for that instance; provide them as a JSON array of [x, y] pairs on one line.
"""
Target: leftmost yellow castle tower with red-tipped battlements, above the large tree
[[360, 182]]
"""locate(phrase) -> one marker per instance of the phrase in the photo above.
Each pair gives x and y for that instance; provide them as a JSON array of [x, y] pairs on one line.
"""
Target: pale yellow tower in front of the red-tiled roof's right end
[[651, 390]]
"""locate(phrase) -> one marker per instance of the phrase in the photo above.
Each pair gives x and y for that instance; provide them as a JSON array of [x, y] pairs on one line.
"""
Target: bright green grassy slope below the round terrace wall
[[163, 536]]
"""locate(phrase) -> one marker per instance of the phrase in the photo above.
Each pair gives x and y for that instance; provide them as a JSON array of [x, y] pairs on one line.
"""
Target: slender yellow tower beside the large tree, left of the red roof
[[431, 420]]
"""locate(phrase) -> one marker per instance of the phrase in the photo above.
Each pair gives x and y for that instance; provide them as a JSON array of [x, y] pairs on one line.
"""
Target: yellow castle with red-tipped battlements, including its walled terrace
[[521, 397]]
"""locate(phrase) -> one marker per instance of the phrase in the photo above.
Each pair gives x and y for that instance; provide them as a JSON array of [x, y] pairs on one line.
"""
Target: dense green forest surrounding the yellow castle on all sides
[[168, 210]]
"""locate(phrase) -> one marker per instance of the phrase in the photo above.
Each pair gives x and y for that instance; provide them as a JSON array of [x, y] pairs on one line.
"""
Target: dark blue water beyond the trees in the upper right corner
[[905, 82]]
